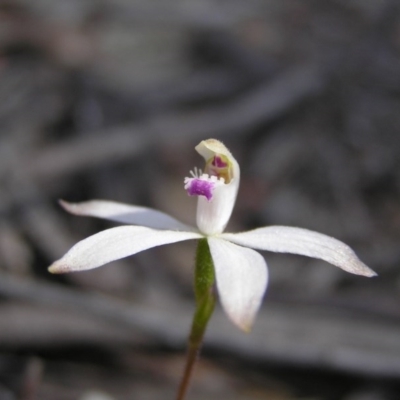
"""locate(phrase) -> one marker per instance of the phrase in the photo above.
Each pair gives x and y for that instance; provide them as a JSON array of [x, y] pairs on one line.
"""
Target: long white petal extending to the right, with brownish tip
[[284, 239]]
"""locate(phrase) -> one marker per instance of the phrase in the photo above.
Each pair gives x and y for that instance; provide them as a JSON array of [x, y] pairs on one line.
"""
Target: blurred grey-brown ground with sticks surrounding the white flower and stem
[[107, 99]]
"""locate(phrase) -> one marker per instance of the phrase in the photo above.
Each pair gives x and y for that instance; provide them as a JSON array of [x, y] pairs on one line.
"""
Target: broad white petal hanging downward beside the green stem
[[241, 276]]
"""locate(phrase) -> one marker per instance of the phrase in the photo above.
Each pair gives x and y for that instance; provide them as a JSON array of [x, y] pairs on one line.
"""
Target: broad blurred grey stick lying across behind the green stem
[[343, 336]]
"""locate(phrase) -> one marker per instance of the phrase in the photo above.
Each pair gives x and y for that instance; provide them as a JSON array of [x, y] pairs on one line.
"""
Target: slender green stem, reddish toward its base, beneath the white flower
[[204, 281]]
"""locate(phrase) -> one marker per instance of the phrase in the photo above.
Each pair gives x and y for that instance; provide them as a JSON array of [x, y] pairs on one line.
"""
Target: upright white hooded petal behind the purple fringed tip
[[213, 215]]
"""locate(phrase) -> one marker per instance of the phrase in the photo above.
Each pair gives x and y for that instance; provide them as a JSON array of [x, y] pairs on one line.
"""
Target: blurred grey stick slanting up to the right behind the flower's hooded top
[[269, 101]]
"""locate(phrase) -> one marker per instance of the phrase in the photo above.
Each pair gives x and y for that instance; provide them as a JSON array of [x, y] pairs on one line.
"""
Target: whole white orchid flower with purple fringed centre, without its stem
[[241, 273]]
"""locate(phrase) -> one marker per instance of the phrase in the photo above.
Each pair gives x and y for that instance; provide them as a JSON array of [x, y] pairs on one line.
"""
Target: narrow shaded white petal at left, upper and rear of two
[[126, 214]]
